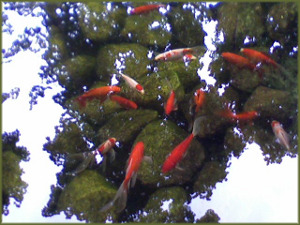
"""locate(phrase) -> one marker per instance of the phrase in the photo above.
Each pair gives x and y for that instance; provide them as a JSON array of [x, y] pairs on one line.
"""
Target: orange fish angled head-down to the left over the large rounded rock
[[180, 150]]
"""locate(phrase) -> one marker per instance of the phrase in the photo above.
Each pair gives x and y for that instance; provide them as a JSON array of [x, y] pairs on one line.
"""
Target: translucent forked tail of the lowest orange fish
[[119, 200]]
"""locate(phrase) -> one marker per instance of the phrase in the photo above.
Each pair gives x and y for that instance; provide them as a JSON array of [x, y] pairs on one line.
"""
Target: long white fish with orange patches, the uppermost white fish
[[175, 54]]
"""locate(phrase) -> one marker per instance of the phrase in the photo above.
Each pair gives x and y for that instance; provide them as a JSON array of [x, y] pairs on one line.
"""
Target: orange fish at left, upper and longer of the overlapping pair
[[99, 93]]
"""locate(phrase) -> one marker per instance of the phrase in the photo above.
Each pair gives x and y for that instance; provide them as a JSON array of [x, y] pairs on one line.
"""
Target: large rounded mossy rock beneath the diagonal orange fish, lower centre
[[160, 138]]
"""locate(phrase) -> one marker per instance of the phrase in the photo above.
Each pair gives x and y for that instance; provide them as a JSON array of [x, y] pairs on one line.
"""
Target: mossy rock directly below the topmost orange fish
[[147, 29]]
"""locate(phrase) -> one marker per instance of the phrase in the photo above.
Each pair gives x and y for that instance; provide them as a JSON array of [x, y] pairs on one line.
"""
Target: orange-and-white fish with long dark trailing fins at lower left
[[89, 157]]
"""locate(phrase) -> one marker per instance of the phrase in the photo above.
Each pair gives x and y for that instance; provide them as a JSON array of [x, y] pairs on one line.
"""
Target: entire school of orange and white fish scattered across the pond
[[110, 93]]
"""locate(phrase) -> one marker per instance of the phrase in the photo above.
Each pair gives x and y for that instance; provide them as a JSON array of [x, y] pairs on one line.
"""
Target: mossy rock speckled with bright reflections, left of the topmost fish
[[100, 22]]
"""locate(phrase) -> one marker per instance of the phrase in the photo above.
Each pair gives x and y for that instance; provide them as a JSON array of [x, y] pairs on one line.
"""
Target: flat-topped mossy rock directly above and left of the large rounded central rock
[[125, 125]]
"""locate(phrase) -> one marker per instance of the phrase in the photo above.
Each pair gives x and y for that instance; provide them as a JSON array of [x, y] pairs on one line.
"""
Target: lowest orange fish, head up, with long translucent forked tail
[[133, 165]]
